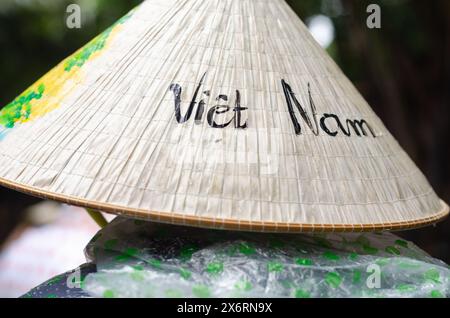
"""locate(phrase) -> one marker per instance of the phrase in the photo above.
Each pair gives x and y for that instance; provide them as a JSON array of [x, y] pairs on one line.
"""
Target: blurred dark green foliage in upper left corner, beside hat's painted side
[[34, 36]]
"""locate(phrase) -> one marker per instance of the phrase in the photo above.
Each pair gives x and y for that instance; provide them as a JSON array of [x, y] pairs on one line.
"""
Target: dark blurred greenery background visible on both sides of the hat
[[402, 69]]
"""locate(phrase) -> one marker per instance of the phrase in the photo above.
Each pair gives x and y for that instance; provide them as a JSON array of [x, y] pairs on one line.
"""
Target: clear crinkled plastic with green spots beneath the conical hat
[[142, 259]]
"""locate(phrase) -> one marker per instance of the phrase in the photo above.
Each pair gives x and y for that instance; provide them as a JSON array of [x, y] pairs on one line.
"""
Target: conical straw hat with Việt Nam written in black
[[222, 114]]
